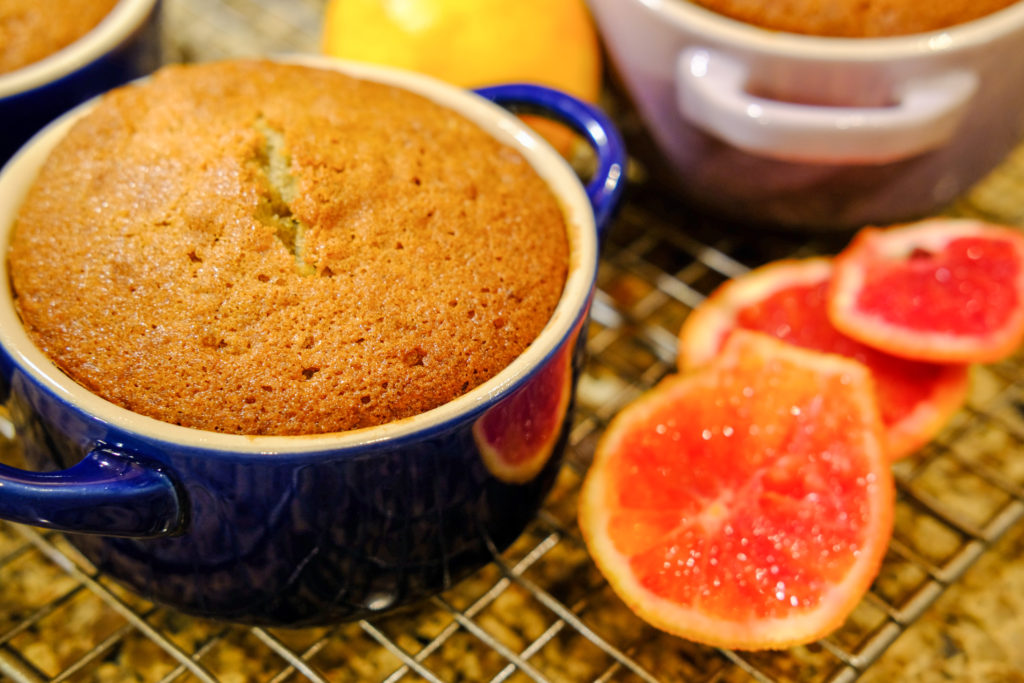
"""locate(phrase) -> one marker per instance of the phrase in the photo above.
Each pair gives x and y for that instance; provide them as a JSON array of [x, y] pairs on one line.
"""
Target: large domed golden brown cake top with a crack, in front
[[257, 248]]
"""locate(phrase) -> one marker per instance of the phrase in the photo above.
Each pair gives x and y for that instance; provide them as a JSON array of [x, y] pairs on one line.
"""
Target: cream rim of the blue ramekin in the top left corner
[[126, 17]]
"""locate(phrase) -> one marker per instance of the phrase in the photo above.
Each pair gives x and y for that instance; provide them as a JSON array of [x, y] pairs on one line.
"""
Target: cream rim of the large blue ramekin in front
[[20, 173]]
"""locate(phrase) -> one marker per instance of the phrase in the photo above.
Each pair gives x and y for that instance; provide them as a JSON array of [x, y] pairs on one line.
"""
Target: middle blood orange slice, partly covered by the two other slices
[[789, 300]]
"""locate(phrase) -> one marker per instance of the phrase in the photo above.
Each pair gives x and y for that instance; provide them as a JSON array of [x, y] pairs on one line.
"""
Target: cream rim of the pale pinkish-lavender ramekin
[[818, 49]]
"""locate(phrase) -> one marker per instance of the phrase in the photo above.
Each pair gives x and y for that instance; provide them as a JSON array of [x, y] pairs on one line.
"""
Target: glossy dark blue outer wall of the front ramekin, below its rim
[[283, 539]]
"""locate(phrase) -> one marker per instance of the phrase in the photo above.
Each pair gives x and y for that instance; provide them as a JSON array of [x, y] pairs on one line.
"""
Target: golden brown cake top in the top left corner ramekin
[[31, 30]]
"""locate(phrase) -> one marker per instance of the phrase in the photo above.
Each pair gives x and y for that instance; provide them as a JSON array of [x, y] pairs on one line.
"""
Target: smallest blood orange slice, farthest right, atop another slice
[[942, 290]]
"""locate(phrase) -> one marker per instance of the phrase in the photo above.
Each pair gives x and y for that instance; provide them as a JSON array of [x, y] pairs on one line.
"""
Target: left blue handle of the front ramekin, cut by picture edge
[[109, 493]]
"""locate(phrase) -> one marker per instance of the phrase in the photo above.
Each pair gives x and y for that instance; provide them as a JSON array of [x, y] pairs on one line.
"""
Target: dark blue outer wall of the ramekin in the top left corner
[[23, 114]]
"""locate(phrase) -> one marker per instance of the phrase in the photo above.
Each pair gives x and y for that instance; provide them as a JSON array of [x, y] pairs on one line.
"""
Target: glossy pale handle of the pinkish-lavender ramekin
[[711, 95]]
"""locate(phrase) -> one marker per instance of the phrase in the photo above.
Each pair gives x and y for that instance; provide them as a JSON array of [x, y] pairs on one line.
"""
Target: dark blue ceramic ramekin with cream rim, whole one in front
[[294, 531]]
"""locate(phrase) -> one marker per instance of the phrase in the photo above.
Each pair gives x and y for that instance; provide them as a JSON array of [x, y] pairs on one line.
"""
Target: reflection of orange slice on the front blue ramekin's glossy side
[[517, 438]]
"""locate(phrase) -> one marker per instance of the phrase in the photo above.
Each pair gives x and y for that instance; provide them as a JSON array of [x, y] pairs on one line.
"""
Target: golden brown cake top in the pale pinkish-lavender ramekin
[[856, 19]]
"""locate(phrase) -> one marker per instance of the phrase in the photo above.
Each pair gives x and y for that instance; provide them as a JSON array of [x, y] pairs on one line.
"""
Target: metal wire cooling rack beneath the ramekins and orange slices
[[541, 612]]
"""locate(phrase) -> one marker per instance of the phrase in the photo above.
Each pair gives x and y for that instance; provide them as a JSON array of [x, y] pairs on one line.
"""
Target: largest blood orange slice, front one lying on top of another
[[748, 504]]
